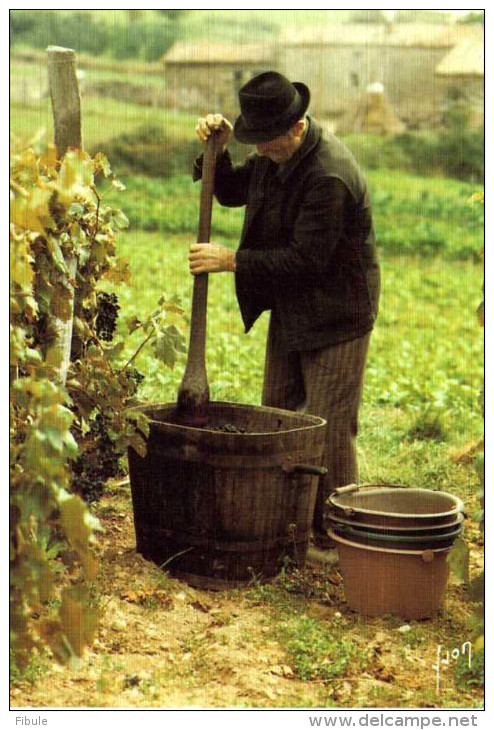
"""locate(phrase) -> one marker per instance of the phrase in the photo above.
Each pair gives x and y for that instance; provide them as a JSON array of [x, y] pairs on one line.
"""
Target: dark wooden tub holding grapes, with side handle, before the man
[[218, 506]]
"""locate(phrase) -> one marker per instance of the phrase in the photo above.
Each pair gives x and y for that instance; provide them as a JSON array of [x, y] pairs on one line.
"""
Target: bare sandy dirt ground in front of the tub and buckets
[[162, 643]]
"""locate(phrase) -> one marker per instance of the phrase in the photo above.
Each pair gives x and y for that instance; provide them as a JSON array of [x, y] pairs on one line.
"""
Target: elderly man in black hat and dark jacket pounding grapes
[[307, 253]]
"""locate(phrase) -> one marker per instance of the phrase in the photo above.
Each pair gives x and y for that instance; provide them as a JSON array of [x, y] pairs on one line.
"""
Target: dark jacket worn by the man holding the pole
[[307, 249]]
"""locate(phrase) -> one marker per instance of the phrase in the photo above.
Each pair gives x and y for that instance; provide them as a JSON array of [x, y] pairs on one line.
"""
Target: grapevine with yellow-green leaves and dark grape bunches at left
[[67, 438]]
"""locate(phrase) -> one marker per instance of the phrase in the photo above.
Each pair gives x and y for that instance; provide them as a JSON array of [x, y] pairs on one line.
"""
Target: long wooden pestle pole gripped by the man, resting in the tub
[[193, 394]]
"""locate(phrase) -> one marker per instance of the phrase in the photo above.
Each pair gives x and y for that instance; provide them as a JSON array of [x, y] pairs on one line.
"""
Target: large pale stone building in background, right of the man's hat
[[339, 62]]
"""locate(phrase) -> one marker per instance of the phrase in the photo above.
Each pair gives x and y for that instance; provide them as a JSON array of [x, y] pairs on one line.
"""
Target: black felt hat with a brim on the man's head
[[270, 105]]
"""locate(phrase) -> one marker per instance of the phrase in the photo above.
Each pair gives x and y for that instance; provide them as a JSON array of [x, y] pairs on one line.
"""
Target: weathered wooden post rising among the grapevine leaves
[[66, 106]]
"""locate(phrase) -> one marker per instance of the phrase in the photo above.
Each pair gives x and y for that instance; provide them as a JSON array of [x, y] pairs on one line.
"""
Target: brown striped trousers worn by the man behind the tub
[[325, 382]]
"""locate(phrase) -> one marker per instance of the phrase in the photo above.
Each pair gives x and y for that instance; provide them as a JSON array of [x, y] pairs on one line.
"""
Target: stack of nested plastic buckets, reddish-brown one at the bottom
[[393, 542]]
